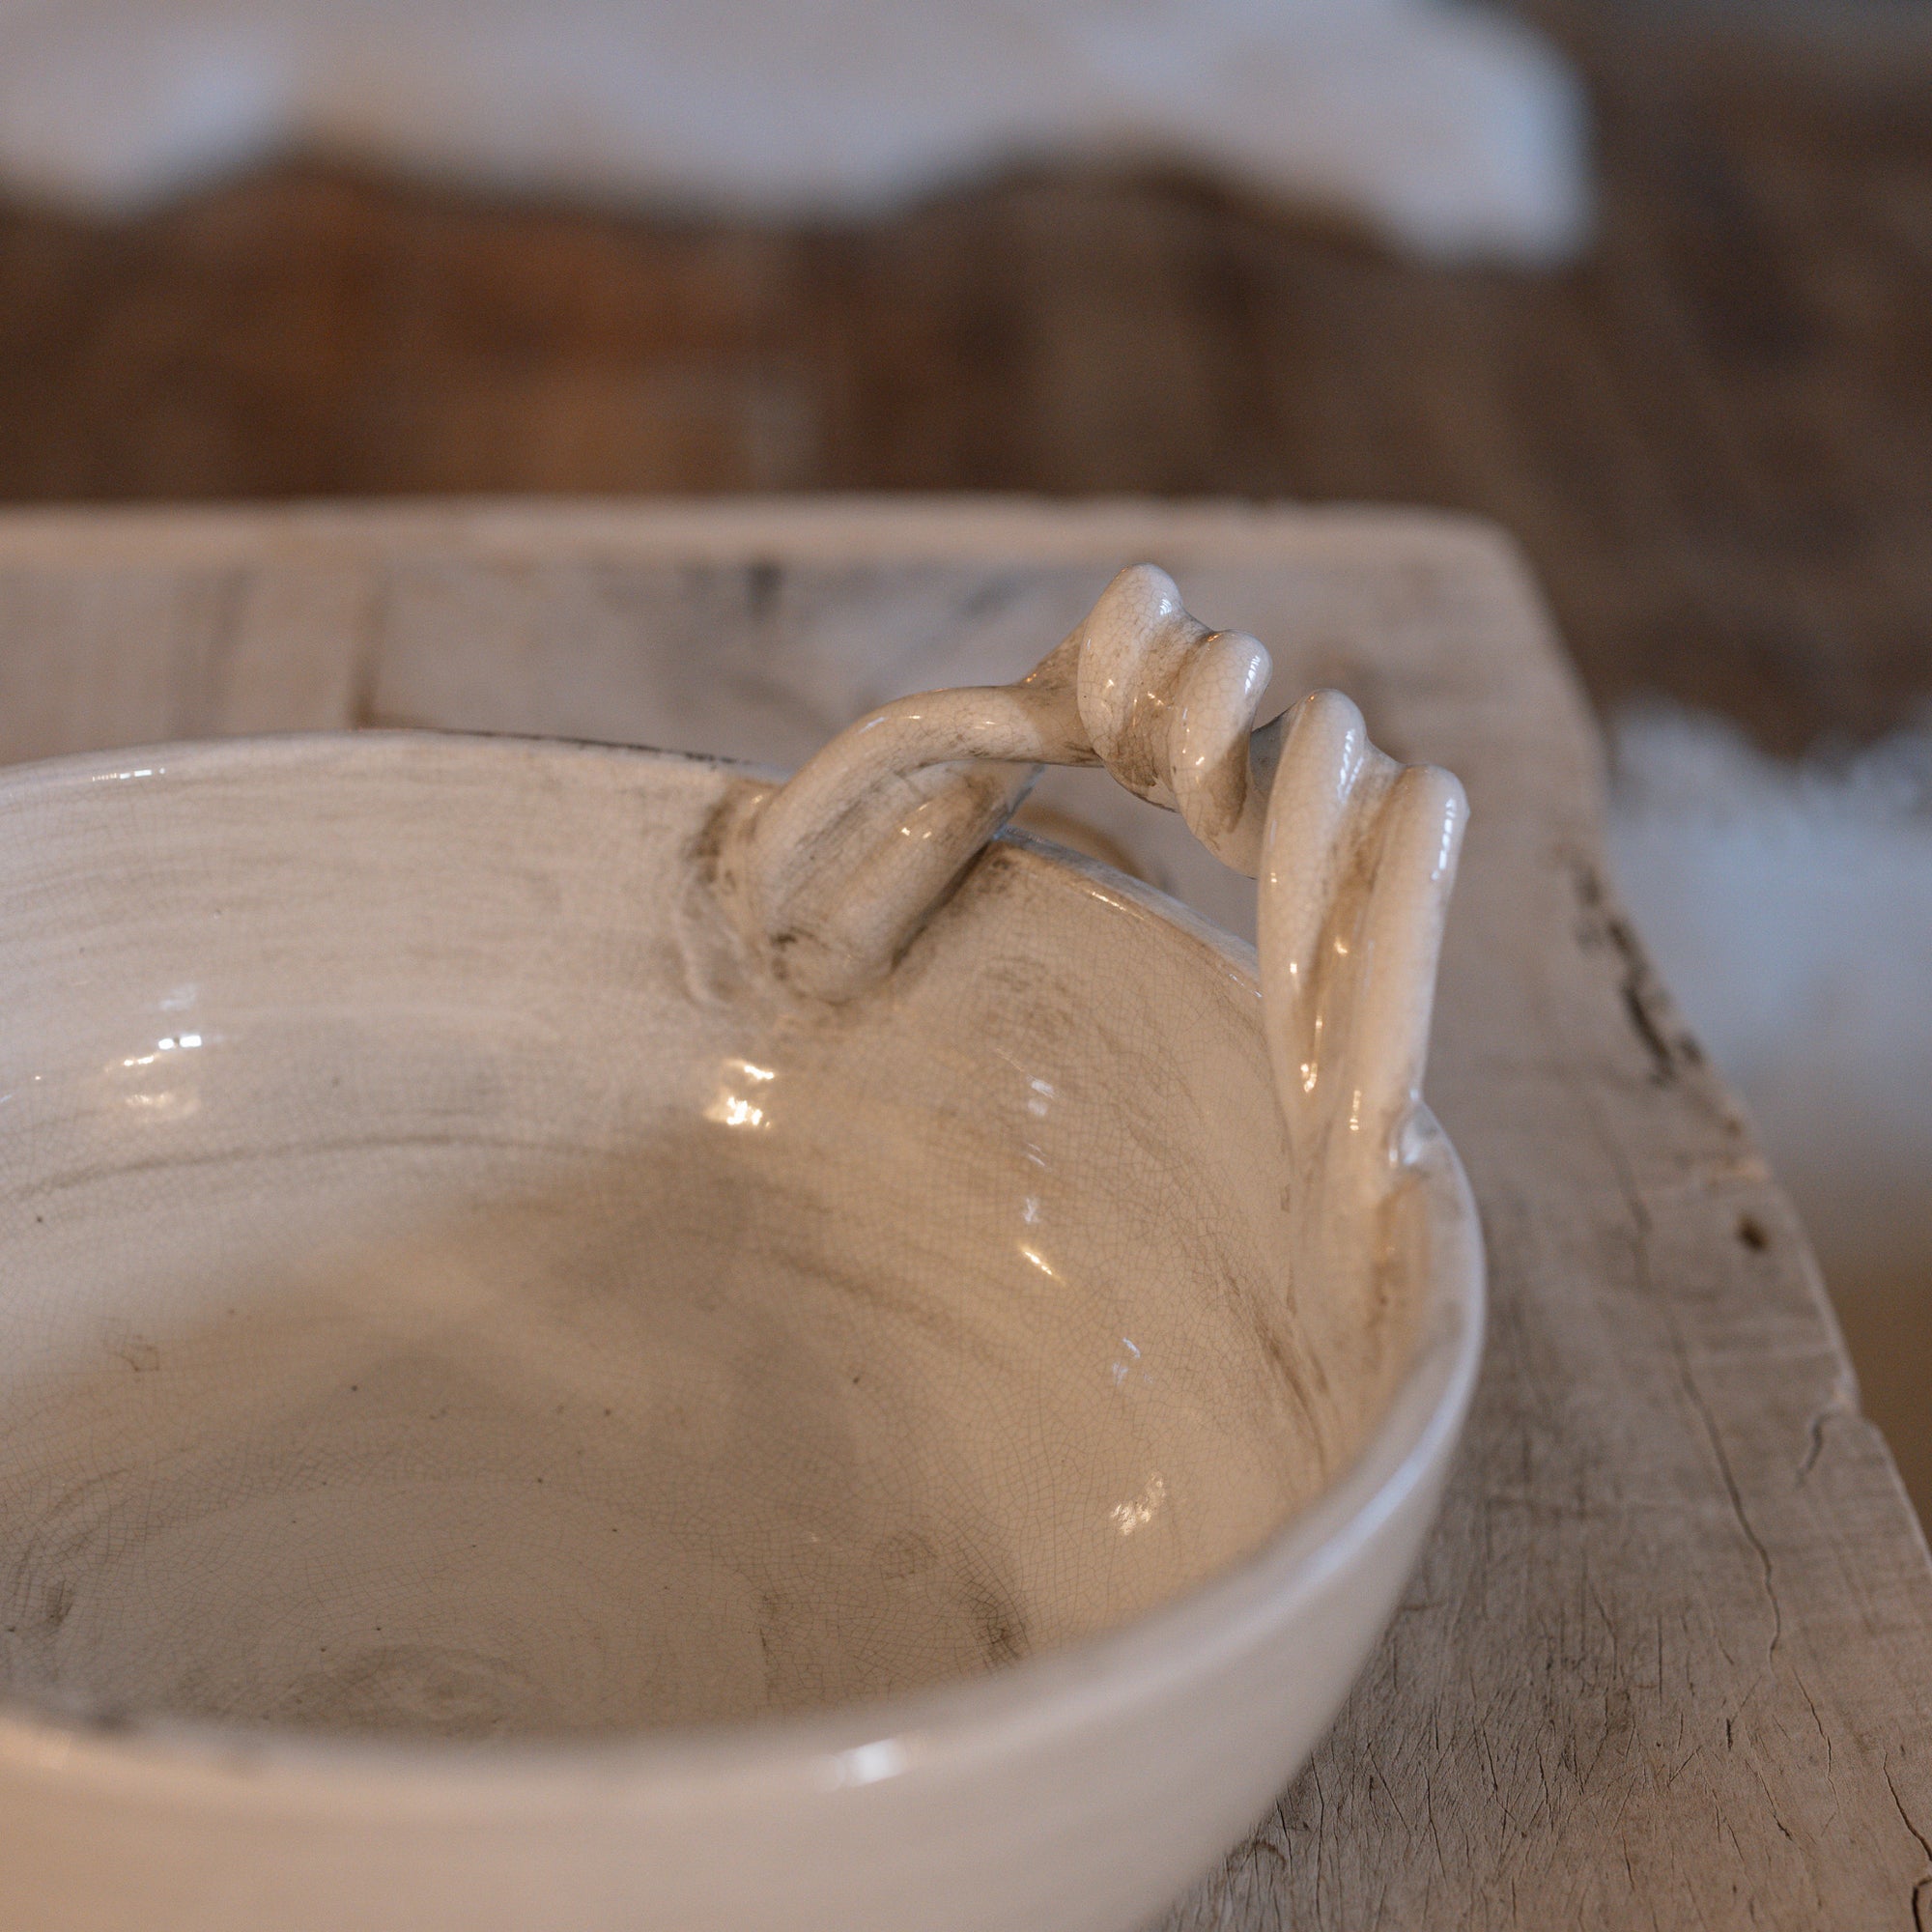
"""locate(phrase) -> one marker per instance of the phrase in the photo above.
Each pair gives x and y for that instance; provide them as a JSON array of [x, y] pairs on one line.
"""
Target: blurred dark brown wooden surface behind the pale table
[[1715, 436]]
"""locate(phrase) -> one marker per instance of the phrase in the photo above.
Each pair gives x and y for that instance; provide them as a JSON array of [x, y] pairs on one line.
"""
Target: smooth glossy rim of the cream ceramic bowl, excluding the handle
[[855, 1744]]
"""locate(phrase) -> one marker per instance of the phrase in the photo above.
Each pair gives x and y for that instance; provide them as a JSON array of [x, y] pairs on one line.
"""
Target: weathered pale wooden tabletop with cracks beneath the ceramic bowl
[[1670, 1657]]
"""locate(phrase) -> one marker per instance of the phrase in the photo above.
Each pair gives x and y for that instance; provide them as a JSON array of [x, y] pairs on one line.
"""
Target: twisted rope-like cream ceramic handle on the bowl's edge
[[1355, 855]]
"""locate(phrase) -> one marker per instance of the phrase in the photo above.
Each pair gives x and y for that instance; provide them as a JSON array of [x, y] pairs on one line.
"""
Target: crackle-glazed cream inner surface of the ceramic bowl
[[432, 1301]]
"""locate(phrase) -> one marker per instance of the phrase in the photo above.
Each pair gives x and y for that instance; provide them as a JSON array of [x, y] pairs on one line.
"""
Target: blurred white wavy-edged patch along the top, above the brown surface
[[1452, 130]]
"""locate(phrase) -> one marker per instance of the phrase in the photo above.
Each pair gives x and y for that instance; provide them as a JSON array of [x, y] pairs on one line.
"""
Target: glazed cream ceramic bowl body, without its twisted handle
[[497, 1433]]
